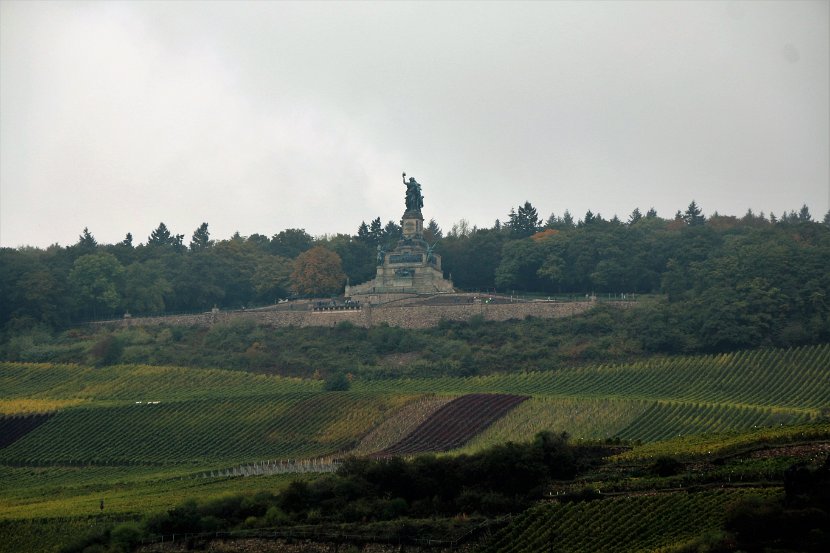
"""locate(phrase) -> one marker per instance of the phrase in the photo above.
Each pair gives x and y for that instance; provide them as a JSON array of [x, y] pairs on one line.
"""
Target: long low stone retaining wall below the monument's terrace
[[404, 316]]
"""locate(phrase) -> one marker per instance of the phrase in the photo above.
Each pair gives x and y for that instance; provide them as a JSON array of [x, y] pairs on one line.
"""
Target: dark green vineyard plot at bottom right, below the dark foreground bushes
[[634, 523]]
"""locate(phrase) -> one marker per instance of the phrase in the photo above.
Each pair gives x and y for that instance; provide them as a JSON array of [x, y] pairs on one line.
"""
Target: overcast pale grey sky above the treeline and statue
[[257, 117]]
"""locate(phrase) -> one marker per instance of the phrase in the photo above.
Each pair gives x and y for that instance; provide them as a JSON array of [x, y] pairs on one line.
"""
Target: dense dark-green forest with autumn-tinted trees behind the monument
[[724, 282]]
